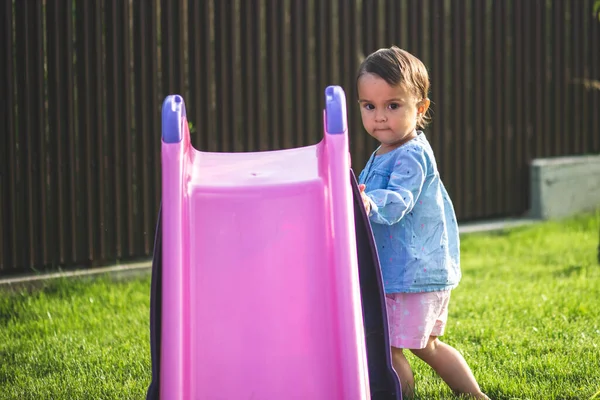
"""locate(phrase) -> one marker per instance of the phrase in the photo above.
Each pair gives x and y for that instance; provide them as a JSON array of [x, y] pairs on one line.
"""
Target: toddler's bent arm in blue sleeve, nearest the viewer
[[390, 205]]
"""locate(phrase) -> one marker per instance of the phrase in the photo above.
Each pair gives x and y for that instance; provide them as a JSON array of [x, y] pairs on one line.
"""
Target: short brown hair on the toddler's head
[[398, 68]]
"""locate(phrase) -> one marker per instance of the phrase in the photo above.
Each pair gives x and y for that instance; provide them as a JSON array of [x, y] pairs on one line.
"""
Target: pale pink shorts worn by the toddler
[[413, 317]]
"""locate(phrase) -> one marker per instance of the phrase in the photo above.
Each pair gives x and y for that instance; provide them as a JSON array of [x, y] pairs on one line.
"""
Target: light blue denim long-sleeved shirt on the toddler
[[413, 220]]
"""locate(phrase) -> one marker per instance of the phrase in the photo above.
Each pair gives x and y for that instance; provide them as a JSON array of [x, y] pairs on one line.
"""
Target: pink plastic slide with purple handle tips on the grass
[[259, 292]]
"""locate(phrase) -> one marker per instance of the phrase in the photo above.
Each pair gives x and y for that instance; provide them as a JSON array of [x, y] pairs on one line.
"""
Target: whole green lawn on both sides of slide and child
[[526, 316]]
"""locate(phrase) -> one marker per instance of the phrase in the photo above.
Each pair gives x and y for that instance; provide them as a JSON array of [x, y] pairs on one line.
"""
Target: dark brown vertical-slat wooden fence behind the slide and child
[[83, 82]]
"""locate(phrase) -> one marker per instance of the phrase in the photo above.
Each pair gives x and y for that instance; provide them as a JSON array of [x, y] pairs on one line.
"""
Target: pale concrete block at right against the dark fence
[[564, 186]]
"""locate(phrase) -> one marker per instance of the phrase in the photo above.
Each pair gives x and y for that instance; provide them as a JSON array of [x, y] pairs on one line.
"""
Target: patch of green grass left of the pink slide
[[76, 339]]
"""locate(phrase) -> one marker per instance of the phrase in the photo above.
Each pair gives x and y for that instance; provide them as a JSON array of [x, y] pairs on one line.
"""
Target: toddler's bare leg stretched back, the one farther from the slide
[[450, 366]]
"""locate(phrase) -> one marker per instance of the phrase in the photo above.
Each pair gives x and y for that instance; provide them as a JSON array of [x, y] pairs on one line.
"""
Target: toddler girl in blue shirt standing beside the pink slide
[[412, 217]]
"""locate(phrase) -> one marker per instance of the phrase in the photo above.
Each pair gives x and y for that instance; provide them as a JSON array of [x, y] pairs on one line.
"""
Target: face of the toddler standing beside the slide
[[389, 113]]
